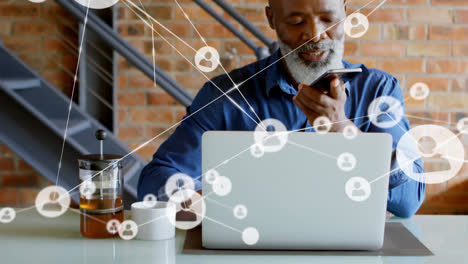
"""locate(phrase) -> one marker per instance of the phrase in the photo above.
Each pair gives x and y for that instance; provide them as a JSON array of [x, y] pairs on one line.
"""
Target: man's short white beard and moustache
[[306, 72]]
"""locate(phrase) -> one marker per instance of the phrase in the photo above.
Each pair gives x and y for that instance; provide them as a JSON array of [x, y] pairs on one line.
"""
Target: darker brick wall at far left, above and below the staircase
[[41, 35]]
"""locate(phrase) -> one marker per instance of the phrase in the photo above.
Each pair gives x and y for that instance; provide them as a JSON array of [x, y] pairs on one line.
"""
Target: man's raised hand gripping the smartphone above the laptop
[[314, 103]]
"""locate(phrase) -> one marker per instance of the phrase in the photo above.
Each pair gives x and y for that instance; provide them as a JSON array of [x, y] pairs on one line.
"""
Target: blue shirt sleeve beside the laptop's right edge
[[405, 194]]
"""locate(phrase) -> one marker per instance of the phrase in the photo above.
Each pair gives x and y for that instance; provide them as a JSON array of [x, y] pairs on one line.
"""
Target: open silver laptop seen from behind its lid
[[299, 197]]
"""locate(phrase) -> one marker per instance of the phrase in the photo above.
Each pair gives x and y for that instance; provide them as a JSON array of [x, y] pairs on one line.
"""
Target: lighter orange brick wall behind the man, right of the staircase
[[416, 40]]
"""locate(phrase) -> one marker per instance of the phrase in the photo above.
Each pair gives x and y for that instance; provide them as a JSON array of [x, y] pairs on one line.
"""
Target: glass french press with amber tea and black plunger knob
[[101, 198]]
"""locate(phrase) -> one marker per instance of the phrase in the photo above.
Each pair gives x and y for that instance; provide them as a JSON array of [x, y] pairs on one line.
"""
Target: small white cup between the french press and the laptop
[[154, 223]]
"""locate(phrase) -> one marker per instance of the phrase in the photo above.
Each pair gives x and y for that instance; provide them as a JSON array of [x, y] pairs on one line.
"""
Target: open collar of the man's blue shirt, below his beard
[[276, 75]]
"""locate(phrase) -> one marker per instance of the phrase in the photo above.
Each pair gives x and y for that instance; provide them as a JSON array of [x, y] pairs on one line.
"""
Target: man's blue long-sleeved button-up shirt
[[270, 95]]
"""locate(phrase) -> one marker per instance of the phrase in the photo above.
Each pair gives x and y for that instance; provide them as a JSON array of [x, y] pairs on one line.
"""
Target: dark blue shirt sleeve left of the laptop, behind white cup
[[182, 151]]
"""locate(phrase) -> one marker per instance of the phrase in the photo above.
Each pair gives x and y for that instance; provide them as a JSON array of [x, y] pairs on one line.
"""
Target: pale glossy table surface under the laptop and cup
[[33, 238]]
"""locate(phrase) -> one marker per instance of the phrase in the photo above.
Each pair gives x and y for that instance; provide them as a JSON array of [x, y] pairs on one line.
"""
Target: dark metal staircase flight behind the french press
[[33, 123]]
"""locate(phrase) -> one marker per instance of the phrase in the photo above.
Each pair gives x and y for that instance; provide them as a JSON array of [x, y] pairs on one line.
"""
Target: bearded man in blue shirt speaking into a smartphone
[[279, 90]]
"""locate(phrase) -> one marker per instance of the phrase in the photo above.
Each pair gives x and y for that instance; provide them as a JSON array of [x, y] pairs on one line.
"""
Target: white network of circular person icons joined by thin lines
[[271, 136]]
